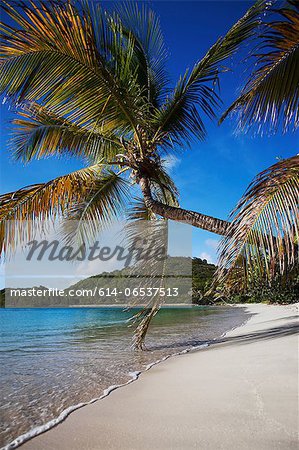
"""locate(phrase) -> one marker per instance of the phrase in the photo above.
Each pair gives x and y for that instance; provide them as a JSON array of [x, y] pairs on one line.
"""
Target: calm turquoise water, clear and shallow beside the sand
[[52, 358]]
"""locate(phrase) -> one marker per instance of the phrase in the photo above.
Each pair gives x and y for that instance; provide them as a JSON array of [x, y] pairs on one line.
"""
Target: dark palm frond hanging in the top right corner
[[270, 99]]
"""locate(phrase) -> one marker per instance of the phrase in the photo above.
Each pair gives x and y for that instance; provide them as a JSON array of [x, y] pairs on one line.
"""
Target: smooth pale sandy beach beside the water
[[240, 393]]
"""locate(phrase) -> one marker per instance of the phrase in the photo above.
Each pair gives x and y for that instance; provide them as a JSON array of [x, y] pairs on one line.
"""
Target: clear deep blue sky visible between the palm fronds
[[211, 176]]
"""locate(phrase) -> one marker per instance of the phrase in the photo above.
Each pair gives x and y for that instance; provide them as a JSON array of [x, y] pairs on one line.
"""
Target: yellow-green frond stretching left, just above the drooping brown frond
[[39, 133]]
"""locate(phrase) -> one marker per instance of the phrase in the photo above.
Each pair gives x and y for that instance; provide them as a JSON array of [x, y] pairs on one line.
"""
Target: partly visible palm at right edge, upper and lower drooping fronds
[[262, 240]]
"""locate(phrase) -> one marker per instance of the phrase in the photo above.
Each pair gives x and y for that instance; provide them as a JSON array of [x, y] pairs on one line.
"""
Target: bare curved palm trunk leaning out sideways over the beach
[[196, 219]]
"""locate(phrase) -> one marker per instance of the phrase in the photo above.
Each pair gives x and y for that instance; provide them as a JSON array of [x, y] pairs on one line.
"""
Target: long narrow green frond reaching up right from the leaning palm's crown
[[179, 120]]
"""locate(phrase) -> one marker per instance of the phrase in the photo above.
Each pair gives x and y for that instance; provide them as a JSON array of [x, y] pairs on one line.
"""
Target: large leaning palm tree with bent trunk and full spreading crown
[[92, 83]]
